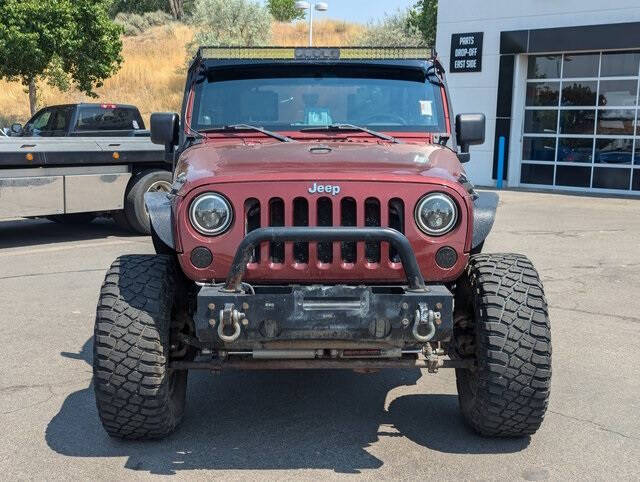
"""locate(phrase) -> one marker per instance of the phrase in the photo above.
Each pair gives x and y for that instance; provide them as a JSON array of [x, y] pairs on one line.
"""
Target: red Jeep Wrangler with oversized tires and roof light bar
[[320, 218]]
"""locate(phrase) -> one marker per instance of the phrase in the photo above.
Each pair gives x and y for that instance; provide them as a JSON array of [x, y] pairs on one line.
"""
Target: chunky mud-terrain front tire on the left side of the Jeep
[[137, 395]]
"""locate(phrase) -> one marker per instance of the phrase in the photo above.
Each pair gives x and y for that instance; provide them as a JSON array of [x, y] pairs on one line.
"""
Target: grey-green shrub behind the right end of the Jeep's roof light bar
[[392, 31]]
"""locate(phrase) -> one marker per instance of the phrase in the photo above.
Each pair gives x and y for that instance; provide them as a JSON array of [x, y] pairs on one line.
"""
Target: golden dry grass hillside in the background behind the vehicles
[[152, 75]]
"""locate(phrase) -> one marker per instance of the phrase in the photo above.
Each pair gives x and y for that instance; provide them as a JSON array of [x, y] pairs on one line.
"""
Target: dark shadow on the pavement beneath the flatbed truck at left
[[34, 232]]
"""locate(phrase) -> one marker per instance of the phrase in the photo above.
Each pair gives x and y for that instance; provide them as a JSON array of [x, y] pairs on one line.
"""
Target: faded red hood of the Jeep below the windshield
[[305, 161]]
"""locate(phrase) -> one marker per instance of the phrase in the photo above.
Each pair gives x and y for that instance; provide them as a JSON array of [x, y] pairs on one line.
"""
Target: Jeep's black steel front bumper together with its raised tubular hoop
[[399, 315]]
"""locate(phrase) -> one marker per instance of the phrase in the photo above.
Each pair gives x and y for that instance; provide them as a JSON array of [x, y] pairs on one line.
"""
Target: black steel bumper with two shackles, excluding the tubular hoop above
[[372, 315]]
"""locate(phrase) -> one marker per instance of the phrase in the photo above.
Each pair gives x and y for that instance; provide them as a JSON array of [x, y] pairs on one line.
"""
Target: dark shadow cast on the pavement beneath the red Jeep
[[278, 420]]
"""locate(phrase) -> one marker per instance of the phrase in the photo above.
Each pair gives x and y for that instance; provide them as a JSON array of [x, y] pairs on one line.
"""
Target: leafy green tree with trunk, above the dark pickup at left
[[63, 42]]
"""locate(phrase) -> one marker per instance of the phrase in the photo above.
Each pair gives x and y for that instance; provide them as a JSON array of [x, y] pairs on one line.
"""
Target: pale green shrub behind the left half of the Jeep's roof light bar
[[236, 23]]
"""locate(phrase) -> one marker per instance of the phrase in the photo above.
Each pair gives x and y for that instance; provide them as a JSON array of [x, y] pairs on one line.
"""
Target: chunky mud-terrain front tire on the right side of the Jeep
[[508, 393]]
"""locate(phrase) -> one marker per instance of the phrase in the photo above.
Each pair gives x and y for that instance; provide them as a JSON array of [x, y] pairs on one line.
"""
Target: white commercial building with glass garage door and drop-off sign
[[558, 80]]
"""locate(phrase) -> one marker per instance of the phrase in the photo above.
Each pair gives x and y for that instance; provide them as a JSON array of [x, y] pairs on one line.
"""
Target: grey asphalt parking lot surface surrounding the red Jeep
[[393, 424]]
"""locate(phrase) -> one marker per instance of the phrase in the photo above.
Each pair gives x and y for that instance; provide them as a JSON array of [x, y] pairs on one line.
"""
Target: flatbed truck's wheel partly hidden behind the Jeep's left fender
[[134, 208]]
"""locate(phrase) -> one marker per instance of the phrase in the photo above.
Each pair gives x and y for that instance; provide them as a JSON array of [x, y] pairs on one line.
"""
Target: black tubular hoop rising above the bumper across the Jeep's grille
[[415, 280]]
